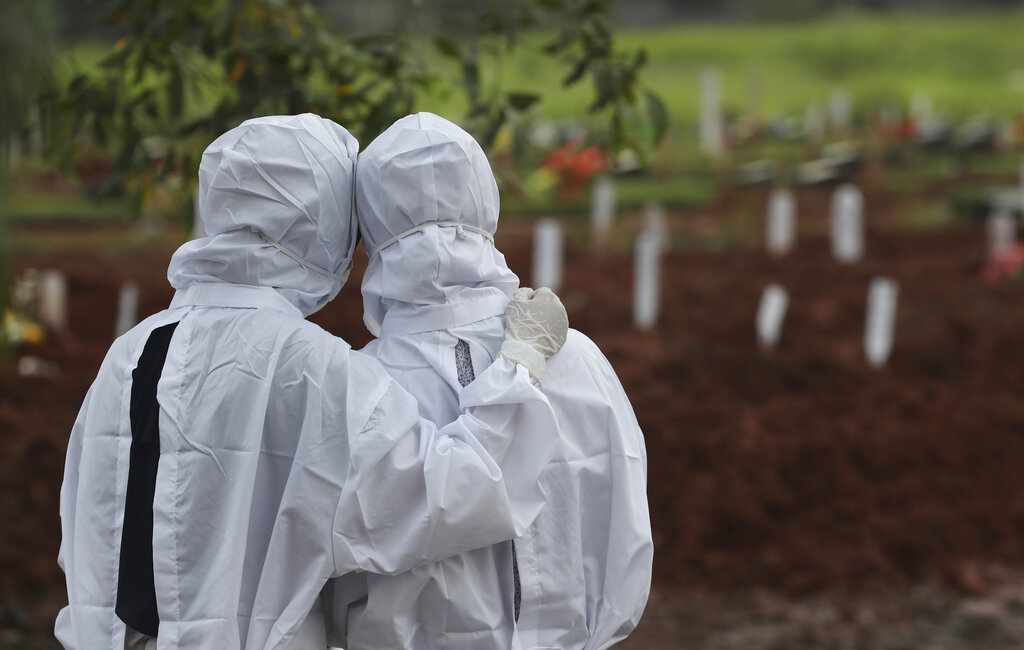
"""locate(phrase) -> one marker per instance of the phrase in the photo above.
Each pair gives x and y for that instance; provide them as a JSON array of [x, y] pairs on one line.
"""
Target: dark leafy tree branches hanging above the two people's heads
[[182, 72]]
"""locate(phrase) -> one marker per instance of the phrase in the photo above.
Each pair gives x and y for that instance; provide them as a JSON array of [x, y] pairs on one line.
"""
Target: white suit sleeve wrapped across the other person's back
[[416, 494]]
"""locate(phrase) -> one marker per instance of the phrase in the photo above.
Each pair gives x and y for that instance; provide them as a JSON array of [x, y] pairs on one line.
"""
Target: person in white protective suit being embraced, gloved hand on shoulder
[[435, 294]]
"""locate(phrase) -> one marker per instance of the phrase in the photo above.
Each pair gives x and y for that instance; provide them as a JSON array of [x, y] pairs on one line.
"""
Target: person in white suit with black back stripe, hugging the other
[[231, 457]]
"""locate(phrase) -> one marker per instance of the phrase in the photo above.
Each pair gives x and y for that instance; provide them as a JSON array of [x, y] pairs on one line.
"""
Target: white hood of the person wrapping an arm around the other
[[276, 199]]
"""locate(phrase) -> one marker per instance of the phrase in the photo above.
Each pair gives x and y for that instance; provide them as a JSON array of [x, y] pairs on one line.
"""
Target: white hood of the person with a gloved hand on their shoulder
[[428, 206]]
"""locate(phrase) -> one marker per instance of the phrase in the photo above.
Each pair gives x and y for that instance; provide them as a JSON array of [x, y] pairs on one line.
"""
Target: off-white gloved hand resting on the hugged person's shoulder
[[536, 327]]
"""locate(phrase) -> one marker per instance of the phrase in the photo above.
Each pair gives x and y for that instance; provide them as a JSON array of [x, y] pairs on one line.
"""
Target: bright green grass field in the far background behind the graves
[[966, 64]]
